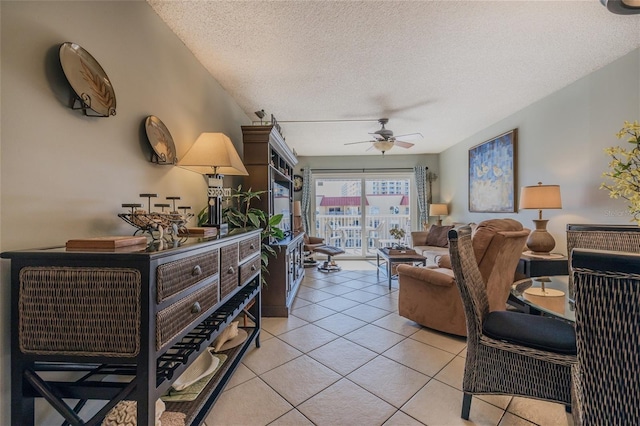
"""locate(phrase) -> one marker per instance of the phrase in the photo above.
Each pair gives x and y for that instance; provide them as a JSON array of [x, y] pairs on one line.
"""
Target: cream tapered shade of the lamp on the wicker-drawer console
[[213, 153]]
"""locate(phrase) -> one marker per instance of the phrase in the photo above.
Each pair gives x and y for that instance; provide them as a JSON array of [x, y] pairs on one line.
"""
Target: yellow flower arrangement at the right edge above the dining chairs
[[625, 169]]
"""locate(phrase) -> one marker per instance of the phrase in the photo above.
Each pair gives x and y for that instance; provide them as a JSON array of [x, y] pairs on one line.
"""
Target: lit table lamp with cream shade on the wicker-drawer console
[[214, 156]]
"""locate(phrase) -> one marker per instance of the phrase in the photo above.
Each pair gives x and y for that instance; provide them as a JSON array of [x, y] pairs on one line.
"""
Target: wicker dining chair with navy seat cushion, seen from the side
[[508, 353]]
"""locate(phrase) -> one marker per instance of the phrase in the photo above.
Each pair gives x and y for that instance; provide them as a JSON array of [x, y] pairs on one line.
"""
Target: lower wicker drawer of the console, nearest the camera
[[178, 316]]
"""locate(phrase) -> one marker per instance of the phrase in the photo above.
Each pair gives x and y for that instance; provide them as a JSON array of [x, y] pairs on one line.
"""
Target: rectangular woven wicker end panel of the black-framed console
[[79, 311]]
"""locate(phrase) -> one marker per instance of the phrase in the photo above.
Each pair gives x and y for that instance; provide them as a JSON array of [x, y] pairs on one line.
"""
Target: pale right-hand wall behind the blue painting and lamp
[[560, 141]]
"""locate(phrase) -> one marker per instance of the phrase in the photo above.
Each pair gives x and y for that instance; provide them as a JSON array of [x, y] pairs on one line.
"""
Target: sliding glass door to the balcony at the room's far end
[[356, 211]]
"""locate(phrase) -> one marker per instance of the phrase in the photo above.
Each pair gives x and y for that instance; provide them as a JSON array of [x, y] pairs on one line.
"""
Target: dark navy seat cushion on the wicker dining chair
[[533, 331]]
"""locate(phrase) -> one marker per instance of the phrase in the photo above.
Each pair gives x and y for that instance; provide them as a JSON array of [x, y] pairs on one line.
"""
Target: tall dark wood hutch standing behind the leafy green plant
[[270, 163]]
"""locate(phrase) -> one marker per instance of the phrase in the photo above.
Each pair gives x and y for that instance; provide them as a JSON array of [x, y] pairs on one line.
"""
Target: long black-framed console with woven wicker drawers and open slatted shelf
[[126, 324]]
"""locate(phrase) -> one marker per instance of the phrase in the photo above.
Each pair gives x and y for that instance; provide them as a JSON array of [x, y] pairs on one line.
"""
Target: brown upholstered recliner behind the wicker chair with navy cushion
[[430, 297]]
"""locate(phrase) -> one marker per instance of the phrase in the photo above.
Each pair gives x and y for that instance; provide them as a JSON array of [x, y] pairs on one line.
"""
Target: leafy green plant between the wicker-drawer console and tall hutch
[[242, 217]]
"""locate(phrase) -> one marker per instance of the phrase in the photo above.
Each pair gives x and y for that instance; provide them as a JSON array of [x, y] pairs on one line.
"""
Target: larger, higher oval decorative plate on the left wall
[[92, 87]]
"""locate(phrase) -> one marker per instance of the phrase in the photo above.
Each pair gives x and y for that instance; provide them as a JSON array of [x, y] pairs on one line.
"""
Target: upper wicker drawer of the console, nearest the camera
[[173, 277]]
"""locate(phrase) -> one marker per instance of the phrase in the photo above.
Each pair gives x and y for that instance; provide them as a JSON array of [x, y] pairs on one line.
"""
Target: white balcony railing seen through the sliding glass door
[[359, 239]]
